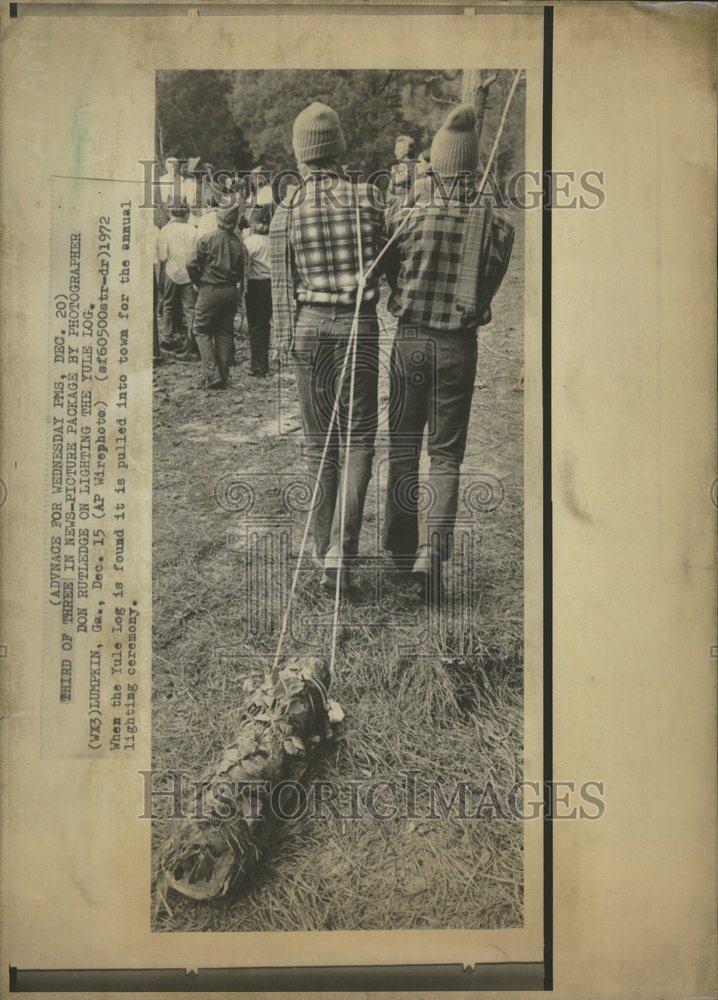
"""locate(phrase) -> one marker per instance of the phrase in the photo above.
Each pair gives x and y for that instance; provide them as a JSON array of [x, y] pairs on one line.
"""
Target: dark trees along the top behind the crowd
[[240, 119]]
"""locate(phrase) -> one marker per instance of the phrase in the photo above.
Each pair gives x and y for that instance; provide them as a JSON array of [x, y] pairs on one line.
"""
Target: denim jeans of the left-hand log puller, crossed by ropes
[[320, 342]]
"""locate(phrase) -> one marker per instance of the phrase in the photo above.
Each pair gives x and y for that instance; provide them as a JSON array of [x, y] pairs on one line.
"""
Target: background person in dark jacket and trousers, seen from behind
[[217, 266]]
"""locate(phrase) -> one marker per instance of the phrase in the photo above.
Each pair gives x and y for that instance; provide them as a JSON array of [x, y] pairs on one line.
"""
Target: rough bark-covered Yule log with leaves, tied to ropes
[[286, 725]]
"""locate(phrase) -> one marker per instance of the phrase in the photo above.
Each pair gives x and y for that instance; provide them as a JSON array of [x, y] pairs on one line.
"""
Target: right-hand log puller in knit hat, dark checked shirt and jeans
[[444, 267]]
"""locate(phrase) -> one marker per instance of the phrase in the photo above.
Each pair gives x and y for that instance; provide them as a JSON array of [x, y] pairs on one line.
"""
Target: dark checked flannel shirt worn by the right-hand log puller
[[425, 263]]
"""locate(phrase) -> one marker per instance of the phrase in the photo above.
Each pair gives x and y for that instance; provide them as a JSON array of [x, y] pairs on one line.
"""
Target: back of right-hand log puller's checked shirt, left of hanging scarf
[[423, 261]]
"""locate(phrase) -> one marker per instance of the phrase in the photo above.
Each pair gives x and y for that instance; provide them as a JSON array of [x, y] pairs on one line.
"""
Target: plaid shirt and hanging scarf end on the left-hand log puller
[[314, 251]]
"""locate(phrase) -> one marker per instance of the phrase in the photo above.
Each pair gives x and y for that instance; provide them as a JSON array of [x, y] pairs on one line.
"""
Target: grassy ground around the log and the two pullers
[[441, 695]]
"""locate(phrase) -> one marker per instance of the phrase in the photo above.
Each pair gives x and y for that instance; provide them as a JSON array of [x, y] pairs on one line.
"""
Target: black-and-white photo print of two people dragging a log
[[338, 570]]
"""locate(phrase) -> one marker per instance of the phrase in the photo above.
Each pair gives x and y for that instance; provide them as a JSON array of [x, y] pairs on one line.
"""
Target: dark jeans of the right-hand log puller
[[432, 382]]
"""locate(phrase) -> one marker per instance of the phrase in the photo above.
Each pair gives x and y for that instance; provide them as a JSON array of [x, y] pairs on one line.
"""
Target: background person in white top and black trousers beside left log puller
[[259, 289]]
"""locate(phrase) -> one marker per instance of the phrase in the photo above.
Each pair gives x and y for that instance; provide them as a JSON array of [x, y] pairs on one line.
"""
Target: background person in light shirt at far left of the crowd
[[175, 245]]
